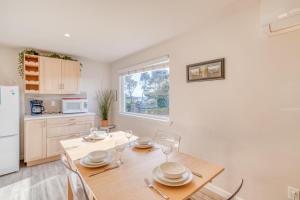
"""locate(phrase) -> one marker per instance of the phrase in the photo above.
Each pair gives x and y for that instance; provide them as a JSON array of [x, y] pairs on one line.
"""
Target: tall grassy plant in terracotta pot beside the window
[[105, 98]]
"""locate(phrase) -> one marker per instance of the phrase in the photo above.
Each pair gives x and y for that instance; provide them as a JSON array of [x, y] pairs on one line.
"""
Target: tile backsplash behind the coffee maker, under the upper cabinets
[[52, 103]]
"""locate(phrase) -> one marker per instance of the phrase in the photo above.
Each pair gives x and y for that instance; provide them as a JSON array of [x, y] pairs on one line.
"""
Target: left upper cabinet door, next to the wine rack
[[50, 75]]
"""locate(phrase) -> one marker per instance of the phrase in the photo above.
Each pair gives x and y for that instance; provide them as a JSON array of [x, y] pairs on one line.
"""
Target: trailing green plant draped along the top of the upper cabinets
[[34, 52]]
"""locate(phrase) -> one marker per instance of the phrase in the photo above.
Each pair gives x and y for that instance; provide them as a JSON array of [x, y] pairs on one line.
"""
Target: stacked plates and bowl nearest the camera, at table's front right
[[172, 174]]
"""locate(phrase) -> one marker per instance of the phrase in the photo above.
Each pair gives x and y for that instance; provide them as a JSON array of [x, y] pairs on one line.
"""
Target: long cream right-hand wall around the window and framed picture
[[249, 122]]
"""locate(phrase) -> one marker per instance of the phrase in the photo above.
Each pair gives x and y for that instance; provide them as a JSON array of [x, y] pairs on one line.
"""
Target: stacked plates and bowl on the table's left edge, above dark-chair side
[[96, 159]]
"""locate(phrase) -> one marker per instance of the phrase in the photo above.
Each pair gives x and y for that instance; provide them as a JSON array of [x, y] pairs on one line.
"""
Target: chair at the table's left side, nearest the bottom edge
[[78, 188]]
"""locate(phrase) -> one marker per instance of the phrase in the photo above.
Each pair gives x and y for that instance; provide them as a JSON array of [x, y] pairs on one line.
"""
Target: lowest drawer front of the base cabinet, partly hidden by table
[[53, 144]]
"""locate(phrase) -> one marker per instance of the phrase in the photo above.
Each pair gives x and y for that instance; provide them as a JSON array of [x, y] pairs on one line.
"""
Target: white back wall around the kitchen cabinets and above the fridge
[[94, 76]]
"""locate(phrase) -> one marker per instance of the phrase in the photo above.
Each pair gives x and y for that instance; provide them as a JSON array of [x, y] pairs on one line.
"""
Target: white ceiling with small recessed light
[[103, 30]]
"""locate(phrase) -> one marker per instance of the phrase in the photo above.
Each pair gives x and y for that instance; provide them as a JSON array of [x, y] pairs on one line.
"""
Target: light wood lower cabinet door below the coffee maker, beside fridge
[[35, 140]]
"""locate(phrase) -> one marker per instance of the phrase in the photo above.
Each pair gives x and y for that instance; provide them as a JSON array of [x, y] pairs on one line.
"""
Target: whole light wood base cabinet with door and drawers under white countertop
[[42, 137]]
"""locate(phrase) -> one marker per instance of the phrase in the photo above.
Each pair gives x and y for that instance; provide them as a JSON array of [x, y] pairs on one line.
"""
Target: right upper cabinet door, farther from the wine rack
[[70, 77]]
